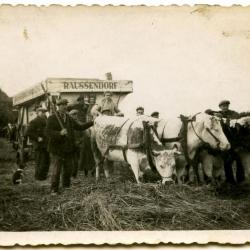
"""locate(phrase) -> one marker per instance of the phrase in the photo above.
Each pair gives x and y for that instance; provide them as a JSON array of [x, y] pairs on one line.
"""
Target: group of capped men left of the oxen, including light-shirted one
[[62, 141]]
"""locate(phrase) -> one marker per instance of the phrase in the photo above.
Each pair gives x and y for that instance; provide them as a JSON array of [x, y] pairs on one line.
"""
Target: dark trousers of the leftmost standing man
[[42, 162]]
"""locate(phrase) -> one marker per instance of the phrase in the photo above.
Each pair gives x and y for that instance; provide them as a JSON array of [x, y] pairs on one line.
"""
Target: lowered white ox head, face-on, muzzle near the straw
[[165, 163]]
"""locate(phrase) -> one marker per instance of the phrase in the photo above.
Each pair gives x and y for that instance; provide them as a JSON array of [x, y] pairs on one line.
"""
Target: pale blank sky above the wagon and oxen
[[180, 59]]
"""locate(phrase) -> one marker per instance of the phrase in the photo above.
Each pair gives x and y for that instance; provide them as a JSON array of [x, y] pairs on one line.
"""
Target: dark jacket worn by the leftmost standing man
[[36, 129]]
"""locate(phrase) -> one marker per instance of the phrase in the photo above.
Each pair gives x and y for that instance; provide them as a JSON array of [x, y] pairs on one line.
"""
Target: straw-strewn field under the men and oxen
[[121, 205]]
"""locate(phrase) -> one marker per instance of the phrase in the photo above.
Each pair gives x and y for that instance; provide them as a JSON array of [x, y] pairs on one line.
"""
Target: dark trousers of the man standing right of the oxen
[[229, 157]]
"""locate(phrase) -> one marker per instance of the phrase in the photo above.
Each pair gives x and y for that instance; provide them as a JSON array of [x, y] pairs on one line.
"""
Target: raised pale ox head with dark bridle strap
[[212, 133]]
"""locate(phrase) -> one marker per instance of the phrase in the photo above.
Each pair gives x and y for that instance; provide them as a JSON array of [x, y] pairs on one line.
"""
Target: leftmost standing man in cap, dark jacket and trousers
[[36, 133]]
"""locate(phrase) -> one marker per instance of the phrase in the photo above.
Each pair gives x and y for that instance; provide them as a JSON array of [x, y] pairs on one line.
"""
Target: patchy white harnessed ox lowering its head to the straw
[[120, 139]]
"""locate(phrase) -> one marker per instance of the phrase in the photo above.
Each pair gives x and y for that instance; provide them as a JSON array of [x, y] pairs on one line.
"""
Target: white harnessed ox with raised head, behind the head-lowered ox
[[203, 129]]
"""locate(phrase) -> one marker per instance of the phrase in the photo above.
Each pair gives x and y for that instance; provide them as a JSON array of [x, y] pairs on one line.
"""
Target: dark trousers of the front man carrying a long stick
[[60, 166]]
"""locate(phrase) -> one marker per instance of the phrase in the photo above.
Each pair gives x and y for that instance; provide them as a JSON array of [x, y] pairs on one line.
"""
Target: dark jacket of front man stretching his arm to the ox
[[63, 145]]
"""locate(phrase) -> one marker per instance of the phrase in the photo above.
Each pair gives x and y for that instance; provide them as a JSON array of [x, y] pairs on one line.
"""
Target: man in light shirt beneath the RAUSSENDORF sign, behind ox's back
[[107, 106]]
